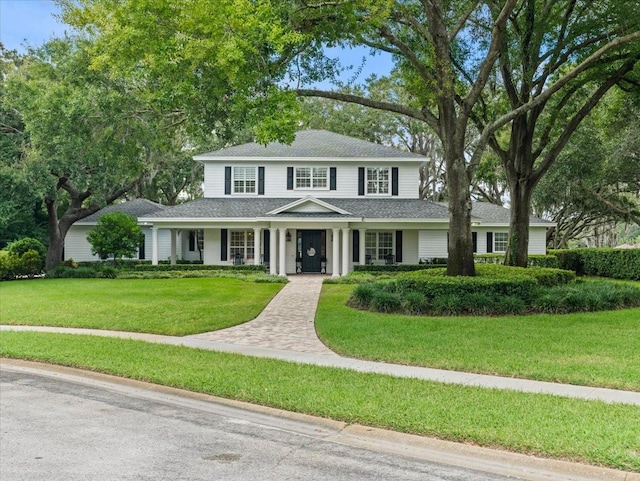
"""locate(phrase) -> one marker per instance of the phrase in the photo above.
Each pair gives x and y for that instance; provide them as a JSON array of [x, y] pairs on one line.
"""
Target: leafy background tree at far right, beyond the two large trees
[[595, 184]]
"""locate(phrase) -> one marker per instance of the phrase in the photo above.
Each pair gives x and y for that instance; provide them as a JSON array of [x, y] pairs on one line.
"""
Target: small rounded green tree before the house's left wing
[[115, 235]]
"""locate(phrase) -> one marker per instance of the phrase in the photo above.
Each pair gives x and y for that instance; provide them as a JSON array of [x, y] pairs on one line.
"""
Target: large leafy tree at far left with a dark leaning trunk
[[88, 135]]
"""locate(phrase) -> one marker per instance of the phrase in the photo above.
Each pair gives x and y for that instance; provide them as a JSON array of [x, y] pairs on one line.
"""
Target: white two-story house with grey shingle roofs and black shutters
[[323, 204]]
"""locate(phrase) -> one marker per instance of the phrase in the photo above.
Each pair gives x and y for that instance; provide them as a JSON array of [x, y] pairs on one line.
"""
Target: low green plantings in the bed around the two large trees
[[495, 290]]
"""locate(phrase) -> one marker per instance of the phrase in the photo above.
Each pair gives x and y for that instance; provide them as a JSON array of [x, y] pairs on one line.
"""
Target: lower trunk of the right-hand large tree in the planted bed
[[518, 246]]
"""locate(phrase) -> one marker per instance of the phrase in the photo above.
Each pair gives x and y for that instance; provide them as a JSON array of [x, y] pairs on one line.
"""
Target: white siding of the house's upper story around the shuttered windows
[[346, 178]]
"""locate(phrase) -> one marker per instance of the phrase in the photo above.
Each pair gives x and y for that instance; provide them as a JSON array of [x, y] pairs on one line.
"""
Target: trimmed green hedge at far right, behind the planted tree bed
[[601, 262]]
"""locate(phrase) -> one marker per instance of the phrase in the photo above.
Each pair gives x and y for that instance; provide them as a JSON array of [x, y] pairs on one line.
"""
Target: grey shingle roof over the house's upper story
[[312, 144]]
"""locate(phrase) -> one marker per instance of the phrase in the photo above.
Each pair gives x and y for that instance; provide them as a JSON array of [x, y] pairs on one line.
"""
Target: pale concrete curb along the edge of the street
[[428, 449]]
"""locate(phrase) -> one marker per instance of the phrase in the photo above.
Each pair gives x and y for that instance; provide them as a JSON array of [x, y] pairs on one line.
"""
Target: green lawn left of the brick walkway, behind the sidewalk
[[175, 307]]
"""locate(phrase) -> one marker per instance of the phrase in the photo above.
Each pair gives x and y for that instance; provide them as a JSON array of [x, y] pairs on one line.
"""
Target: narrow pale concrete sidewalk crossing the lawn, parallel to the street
[[427, 374]]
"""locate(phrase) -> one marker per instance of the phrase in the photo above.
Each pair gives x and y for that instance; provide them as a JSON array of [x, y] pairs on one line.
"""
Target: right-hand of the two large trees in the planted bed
[[557, 60]]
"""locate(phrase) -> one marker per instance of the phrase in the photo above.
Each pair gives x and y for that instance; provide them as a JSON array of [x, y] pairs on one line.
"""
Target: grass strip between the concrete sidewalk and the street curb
[[551, 426]]
